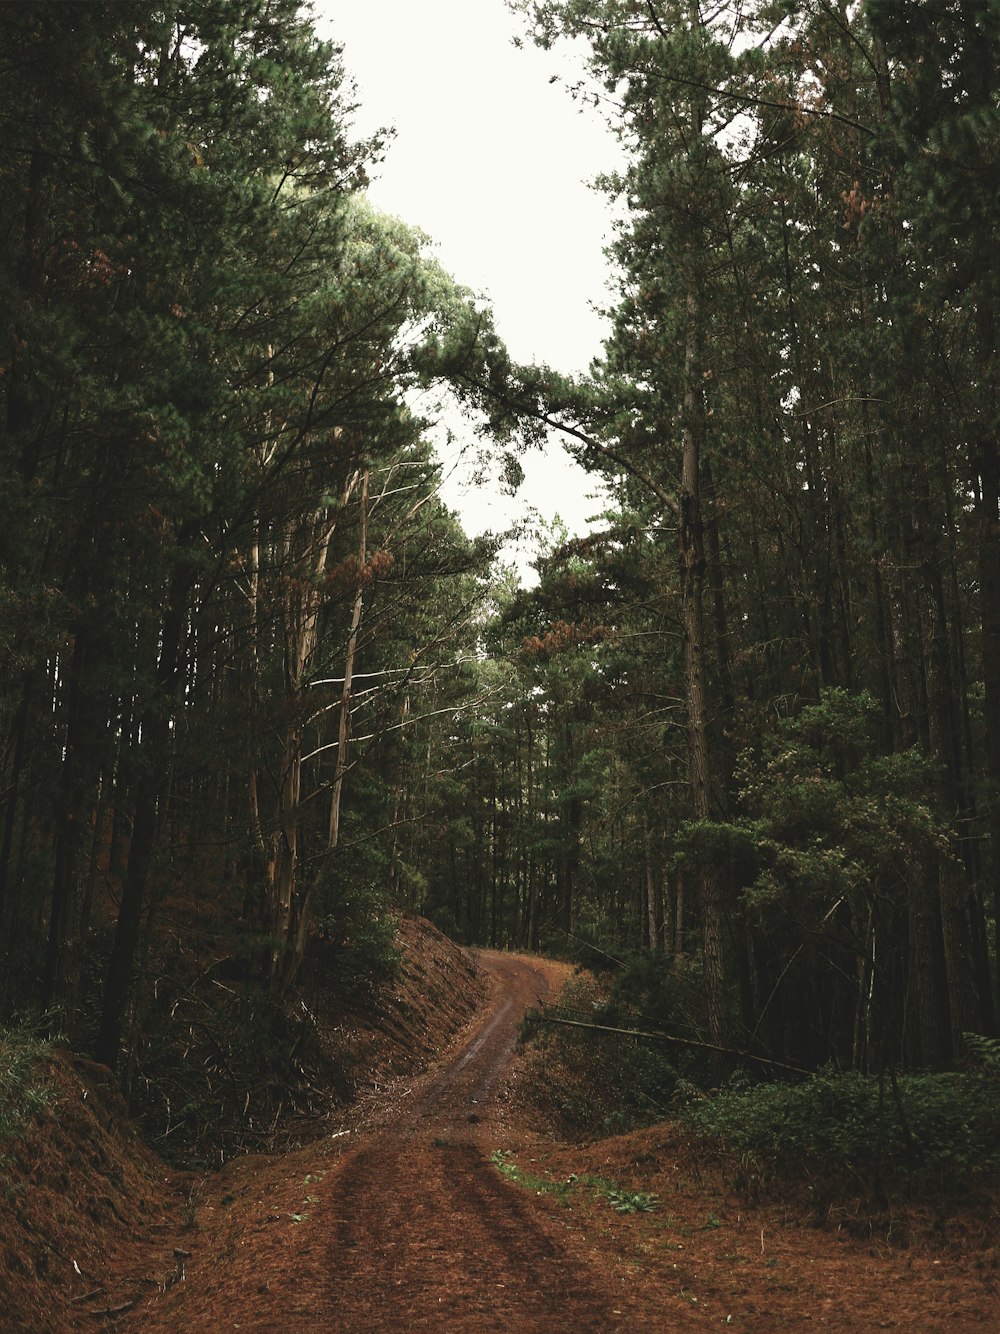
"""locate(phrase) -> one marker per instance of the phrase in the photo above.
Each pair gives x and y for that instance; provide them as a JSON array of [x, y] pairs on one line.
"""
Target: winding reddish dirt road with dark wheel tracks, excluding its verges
[[425, 1233]]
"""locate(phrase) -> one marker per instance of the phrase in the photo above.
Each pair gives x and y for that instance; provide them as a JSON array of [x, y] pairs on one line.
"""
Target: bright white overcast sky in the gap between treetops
[[493, 161]]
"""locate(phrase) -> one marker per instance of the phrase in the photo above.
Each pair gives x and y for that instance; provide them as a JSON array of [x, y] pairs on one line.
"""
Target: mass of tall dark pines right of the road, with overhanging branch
[[753, 722]]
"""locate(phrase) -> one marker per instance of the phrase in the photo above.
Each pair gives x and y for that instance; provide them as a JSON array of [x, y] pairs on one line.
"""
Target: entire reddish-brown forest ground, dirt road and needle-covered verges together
[[439, 1204]]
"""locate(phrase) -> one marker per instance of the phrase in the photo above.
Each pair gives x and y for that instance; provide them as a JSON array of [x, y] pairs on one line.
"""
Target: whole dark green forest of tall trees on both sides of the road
[[259, 692]]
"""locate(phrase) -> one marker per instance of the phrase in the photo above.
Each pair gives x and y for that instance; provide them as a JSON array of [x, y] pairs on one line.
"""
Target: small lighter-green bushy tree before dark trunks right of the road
[[827, 842]]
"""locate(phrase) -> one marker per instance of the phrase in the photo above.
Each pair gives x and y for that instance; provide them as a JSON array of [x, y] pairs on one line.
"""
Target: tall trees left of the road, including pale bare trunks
[[225, 573]]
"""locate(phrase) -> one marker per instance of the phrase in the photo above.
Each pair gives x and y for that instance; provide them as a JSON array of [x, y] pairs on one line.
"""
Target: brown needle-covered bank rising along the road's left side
[[93, 1221]]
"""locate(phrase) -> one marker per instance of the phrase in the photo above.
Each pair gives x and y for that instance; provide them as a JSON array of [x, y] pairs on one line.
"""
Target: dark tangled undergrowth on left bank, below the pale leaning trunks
[[223, 1065]]
